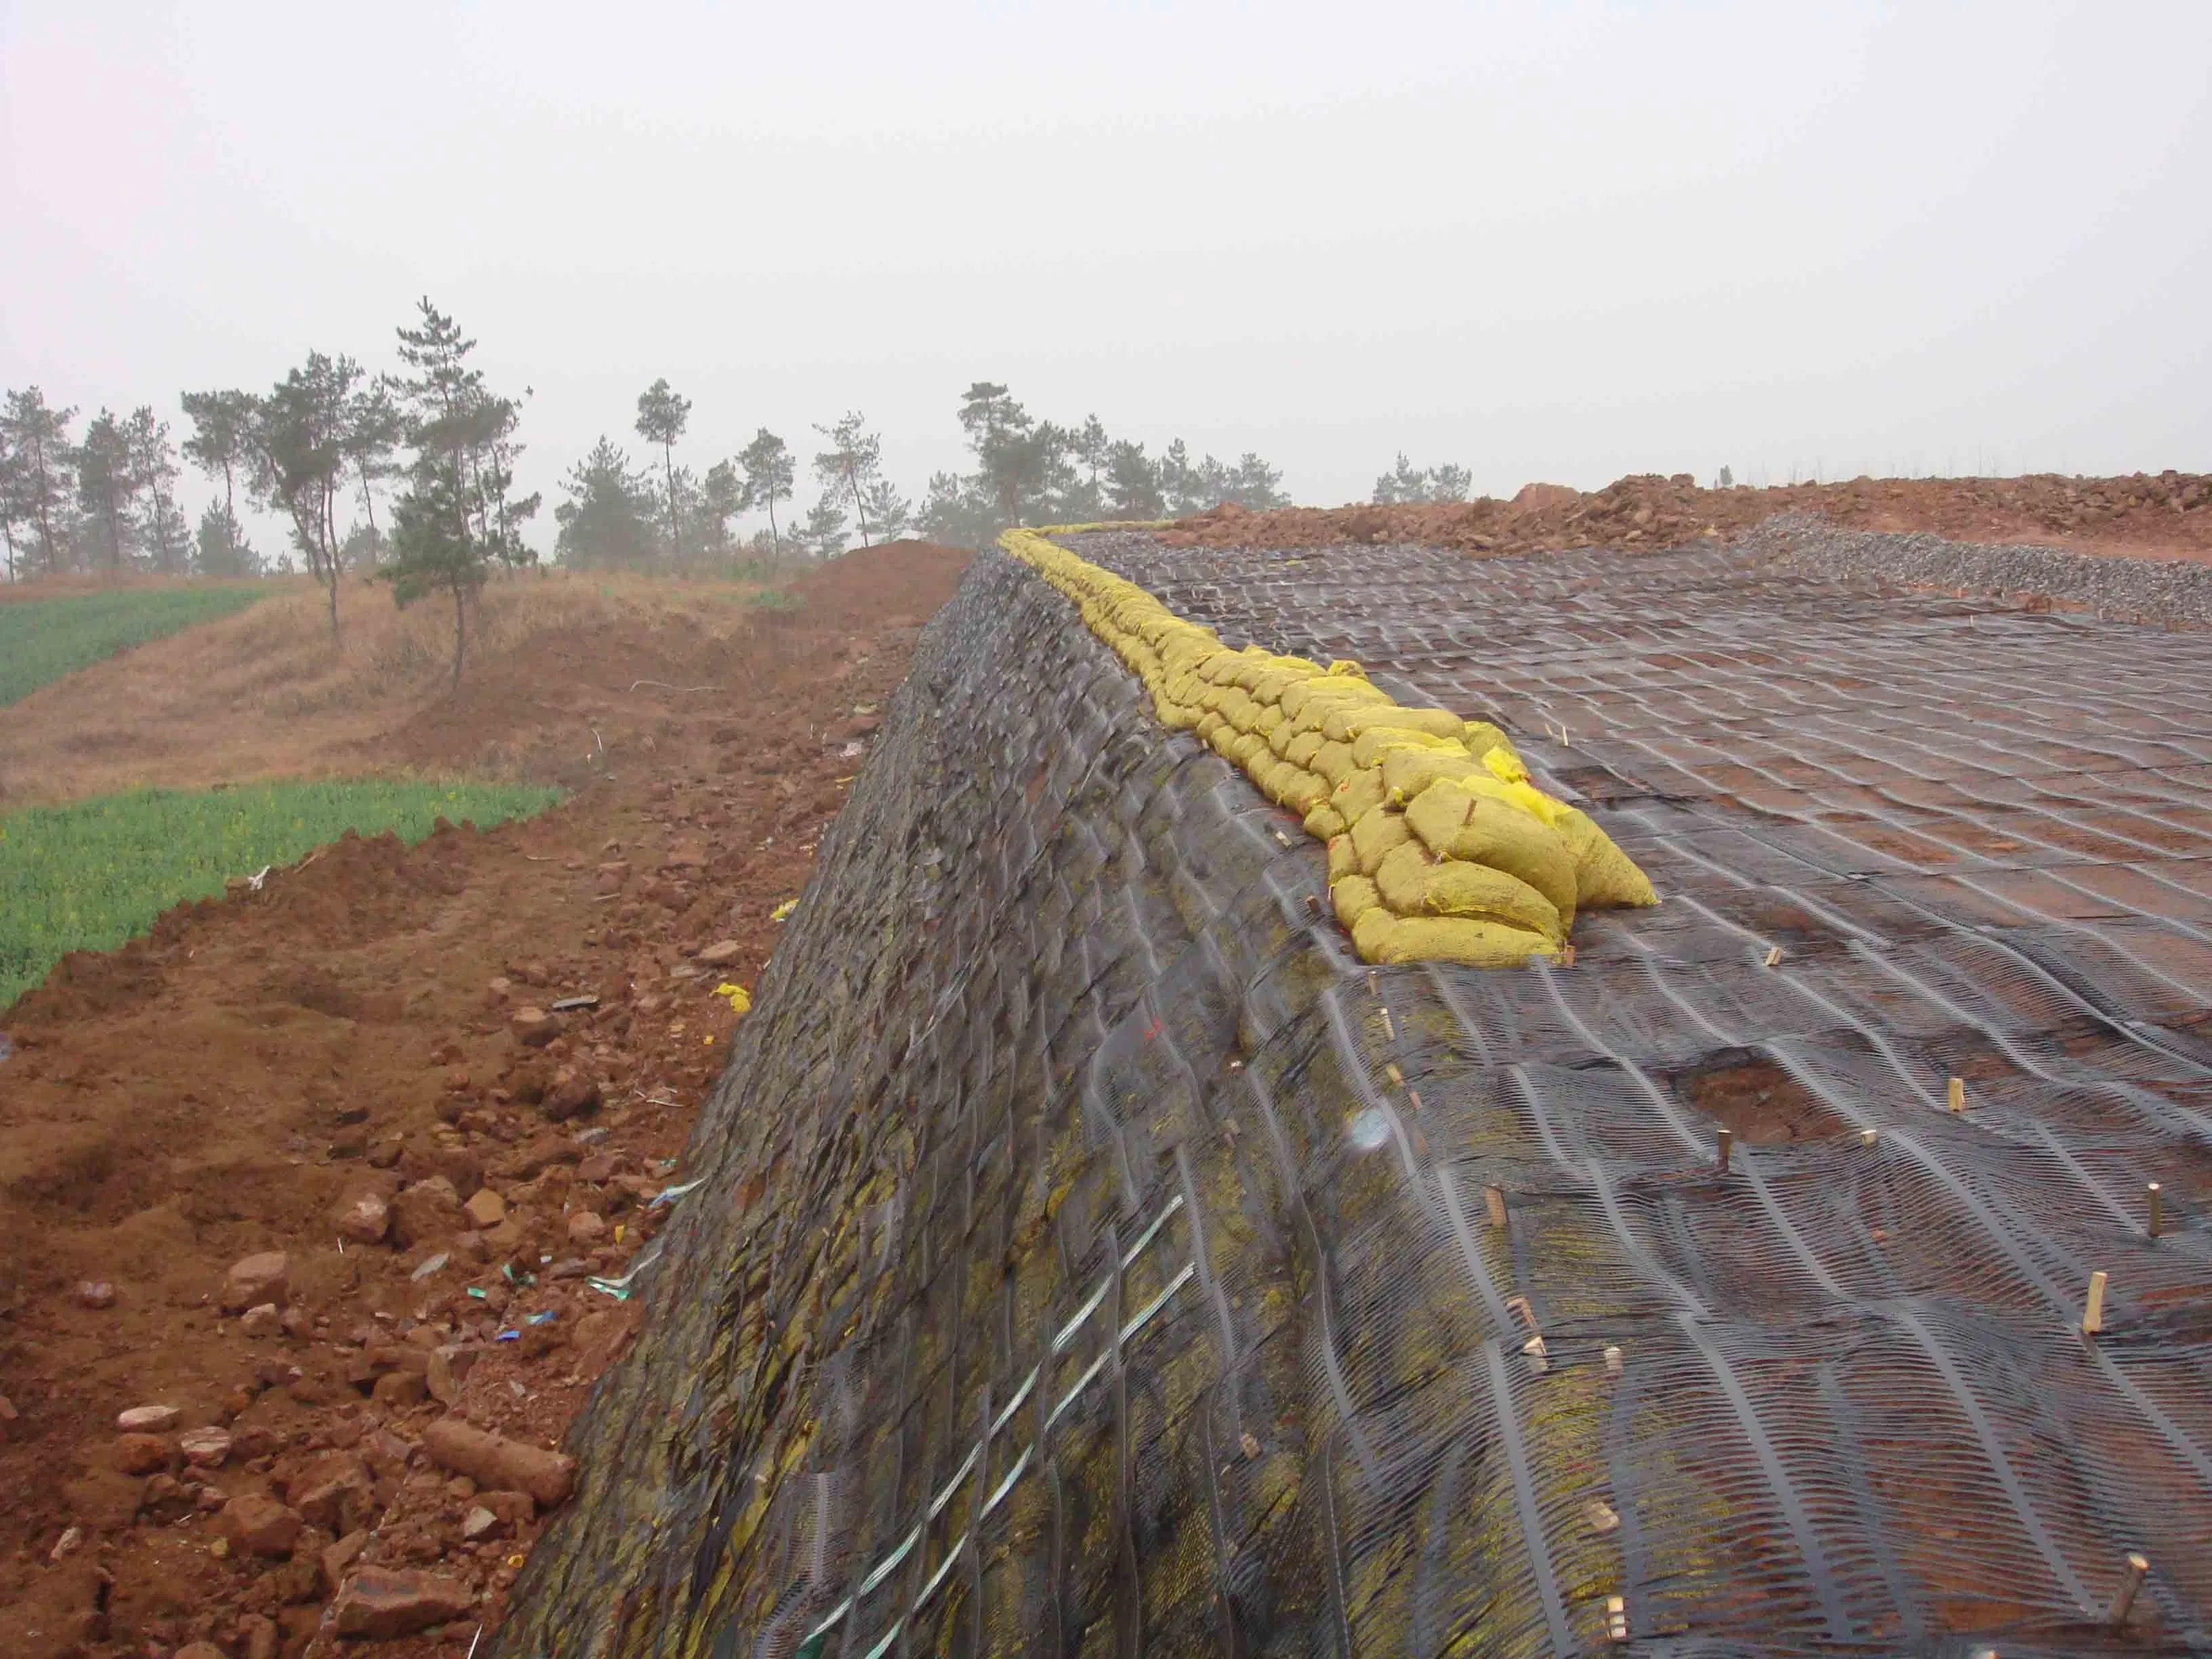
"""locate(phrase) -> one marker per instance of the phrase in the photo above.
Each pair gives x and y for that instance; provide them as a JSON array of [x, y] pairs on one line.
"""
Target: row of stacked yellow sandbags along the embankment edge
[[1441, 851]]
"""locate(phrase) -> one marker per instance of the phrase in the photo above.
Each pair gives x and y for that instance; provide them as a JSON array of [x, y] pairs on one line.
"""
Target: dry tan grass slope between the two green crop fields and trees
[[267, 696]]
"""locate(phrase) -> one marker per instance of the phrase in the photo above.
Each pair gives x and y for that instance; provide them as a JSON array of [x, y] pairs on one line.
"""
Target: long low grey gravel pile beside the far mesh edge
[[2147, 589]]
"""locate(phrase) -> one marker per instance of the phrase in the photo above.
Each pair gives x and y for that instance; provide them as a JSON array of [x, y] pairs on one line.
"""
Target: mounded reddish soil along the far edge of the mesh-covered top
[[2145, 517]]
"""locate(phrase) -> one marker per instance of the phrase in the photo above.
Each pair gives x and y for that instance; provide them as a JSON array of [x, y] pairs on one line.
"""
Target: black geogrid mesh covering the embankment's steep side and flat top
[[1094, 1258]]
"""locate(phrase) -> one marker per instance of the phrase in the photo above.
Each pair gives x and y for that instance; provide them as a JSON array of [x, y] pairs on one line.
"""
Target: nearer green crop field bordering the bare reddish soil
[[94, 875]]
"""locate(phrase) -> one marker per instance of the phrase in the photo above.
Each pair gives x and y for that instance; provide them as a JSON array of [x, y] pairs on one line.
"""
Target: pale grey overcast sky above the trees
[[1541, 240]]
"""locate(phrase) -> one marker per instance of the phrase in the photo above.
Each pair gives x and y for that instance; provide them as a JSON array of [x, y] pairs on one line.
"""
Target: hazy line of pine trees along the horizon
[[435, 450]]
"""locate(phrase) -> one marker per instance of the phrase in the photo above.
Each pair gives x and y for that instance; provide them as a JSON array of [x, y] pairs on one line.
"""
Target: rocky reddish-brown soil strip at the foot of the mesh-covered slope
[[366, 1045]]
